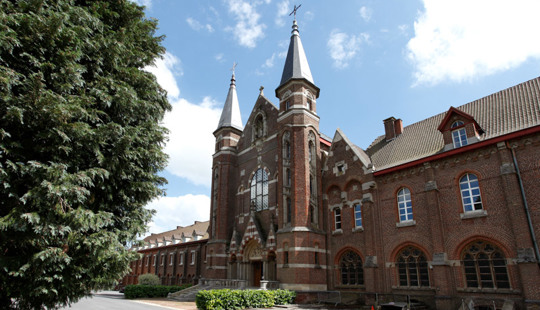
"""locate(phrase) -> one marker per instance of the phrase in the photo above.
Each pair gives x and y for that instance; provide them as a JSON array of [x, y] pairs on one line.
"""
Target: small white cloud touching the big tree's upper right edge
[[165, 69]]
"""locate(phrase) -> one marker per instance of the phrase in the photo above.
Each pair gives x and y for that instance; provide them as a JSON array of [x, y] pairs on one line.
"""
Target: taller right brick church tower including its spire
[[300, 235]]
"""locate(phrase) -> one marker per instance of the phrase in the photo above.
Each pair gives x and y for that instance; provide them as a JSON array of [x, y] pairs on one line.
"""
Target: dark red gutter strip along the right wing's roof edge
[[469, 147]]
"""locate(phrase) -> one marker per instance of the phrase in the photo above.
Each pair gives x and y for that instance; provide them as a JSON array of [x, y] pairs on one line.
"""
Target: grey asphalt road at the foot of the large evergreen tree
[[110, 300]]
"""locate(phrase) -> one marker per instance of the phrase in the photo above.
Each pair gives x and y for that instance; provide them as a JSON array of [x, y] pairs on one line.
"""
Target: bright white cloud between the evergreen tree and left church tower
[[191, 142]]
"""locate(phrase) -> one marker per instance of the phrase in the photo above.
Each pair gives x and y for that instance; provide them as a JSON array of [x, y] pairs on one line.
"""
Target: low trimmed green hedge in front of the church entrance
[[240, 299]]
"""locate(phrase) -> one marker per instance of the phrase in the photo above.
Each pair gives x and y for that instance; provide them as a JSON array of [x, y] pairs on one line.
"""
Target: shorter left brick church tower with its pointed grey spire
[[223, 175]]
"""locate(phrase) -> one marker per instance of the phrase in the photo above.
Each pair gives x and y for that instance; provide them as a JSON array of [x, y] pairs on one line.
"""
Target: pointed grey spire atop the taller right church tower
[[296, 65]]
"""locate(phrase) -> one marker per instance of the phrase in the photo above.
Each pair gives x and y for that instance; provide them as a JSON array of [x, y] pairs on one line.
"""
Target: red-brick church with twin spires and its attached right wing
[[446, 210]]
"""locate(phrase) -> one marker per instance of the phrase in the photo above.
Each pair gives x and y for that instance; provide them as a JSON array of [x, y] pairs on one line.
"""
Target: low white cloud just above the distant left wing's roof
[[178, 211]]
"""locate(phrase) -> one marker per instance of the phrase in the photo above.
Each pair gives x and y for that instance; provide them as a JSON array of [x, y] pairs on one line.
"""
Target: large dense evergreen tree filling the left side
[[80, 145]]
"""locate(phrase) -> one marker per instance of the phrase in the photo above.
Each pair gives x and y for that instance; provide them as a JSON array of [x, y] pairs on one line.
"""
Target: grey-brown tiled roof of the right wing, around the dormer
[[507, 111]]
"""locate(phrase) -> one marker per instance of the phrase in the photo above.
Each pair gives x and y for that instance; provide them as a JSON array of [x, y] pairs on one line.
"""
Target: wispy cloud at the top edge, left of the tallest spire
[[247, 30]]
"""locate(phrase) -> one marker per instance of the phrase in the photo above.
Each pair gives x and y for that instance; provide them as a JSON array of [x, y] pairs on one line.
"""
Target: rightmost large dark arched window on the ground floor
[[484, 266]]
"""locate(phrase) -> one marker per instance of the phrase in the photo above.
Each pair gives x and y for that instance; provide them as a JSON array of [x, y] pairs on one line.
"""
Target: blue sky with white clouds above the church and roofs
[[371, 60]]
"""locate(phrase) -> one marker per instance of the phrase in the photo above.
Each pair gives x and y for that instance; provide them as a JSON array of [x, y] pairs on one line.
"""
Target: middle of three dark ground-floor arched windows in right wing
[[412, 267]]
